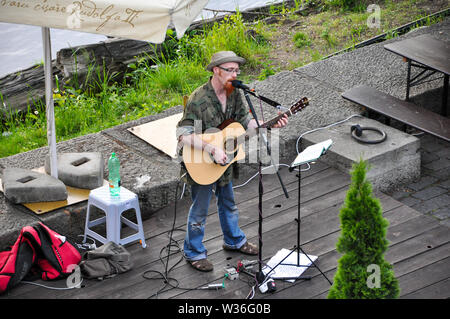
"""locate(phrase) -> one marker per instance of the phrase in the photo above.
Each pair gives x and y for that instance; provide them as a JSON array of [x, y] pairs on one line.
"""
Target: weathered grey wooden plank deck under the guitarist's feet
[[419, 247]]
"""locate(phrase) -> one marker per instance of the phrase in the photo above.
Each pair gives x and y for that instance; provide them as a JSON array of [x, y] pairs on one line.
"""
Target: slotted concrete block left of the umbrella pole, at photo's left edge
[[26, 186]]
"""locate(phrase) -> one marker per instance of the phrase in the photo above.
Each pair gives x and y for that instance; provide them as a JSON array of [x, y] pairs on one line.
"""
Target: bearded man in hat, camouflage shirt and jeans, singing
[[212, 104]]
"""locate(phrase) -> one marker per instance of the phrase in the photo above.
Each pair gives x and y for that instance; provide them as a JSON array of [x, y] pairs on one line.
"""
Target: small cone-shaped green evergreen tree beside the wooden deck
[[362, 271]]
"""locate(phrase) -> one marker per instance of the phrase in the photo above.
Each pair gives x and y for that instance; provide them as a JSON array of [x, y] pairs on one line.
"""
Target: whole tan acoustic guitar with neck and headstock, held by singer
[[230, 136]]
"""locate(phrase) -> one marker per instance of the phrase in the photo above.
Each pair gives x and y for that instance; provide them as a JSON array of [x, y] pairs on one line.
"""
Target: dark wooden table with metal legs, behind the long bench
[[430, 55]]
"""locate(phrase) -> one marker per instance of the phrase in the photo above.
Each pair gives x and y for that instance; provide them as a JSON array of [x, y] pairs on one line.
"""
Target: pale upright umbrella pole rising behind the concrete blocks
[[50, 113]]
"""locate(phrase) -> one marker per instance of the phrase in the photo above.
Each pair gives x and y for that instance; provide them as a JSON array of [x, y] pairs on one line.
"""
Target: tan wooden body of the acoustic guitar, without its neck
[[201, 166]]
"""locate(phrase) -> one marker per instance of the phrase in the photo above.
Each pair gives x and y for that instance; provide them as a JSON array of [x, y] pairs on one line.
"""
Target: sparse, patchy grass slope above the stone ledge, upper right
[[333, 29]]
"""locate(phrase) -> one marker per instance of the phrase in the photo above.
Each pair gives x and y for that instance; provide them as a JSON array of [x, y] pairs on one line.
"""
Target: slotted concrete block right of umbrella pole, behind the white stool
[[81, 170]]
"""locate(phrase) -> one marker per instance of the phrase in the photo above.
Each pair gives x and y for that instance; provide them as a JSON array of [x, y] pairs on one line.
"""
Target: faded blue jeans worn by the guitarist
[[234, 237]]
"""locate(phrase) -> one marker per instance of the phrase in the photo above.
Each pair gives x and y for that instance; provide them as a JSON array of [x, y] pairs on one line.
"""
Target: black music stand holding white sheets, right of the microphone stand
[[310, 154]]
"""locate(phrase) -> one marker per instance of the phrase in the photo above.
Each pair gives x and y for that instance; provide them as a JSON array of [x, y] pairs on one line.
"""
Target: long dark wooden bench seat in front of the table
[[405, 112]]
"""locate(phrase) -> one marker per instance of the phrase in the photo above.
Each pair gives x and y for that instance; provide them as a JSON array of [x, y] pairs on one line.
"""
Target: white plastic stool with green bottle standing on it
[[114, 206]]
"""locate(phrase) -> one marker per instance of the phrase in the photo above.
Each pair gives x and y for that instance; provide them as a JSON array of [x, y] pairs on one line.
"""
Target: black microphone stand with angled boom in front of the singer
[[259, 275]]
